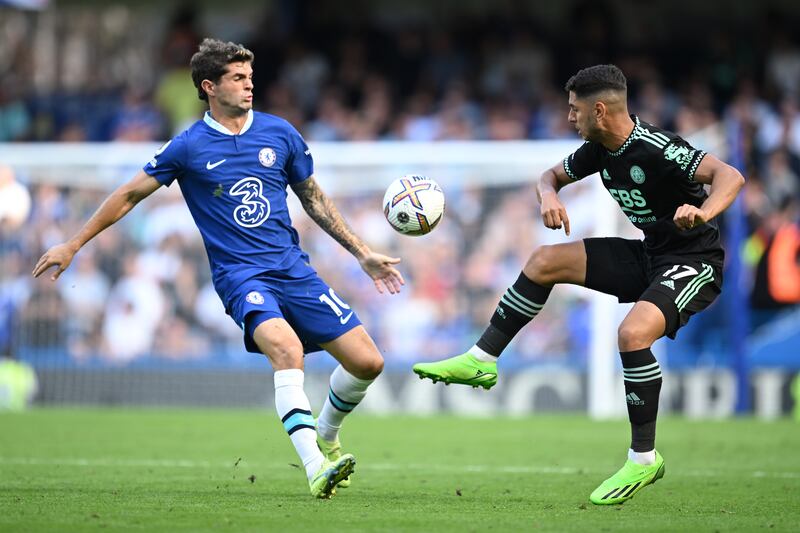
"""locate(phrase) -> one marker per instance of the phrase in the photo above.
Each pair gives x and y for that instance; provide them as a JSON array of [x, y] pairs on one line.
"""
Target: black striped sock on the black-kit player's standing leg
[[642, 376]]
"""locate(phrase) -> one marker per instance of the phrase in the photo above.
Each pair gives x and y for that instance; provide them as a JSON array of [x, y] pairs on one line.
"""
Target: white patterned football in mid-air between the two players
[[413, 204]]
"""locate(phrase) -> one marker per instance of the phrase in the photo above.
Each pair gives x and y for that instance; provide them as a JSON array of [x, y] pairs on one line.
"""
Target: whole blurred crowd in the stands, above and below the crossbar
[[497, 76]]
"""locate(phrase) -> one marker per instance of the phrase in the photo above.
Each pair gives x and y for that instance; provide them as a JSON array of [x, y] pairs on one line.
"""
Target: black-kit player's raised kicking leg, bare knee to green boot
[[547, 265]]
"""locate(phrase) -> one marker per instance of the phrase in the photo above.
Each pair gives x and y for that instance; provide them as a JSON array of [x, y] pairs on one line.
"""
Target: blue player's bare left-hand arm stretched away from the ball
[[112, 209]]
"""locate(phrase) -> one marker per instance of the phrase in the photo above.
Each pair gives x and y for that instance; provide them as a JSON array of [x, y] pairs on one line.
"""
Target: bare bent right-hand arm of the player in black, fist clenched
[[725, 183]]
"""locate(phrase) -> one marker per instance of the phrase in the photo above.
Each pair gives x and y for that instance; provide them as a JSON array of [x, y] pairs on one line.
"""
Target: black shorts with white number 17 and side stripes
[[679, 285]]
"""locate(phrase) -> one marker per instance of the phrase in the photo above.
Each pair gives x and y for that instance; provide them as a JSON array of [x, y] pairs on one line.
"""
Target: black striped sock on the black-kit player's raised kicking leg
[[520, 303]]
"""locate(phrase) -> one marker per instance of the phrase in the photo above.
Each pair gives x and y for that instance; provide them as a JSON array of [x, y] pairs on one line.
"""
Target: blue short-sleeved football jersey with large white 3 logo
[[235, 187]]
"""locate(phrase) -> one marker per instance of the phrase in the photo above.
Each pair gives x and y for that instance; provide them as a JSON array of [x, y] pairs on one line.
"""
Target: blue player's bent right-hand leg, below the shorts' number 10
[[360, 363]]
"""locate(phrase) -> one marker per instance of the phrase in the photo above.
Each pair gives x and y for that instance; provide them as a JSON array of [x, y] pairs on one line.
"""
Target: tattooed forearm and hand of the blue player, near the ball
[[320, 208]]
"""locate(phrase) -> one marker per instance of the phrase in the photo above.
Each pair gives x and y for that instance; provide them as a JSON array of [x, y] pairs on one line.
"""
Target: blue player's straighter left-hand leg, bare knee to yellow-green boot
[[278, 341]]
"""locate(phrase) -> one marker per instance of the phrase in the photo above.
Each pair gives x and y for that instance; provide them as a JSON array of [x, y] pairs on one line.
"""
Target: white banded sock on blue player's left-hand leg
[[294, 410]]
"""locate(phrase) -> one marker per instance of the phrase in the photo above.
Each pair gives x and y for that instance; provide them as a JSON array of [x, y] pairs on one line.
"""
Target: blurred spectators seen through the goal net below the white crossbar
[[143, 289]]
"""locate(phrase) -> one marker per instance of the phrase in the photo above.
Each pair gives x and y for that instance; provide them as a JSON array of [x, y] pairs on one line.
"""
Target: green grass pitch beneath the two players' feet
[[140, 470]]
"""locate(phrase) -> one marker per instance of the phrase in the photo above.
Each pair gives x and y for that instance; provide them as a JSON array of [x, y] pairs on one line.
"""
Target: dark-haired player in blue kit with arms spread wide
[[233, 168]]
